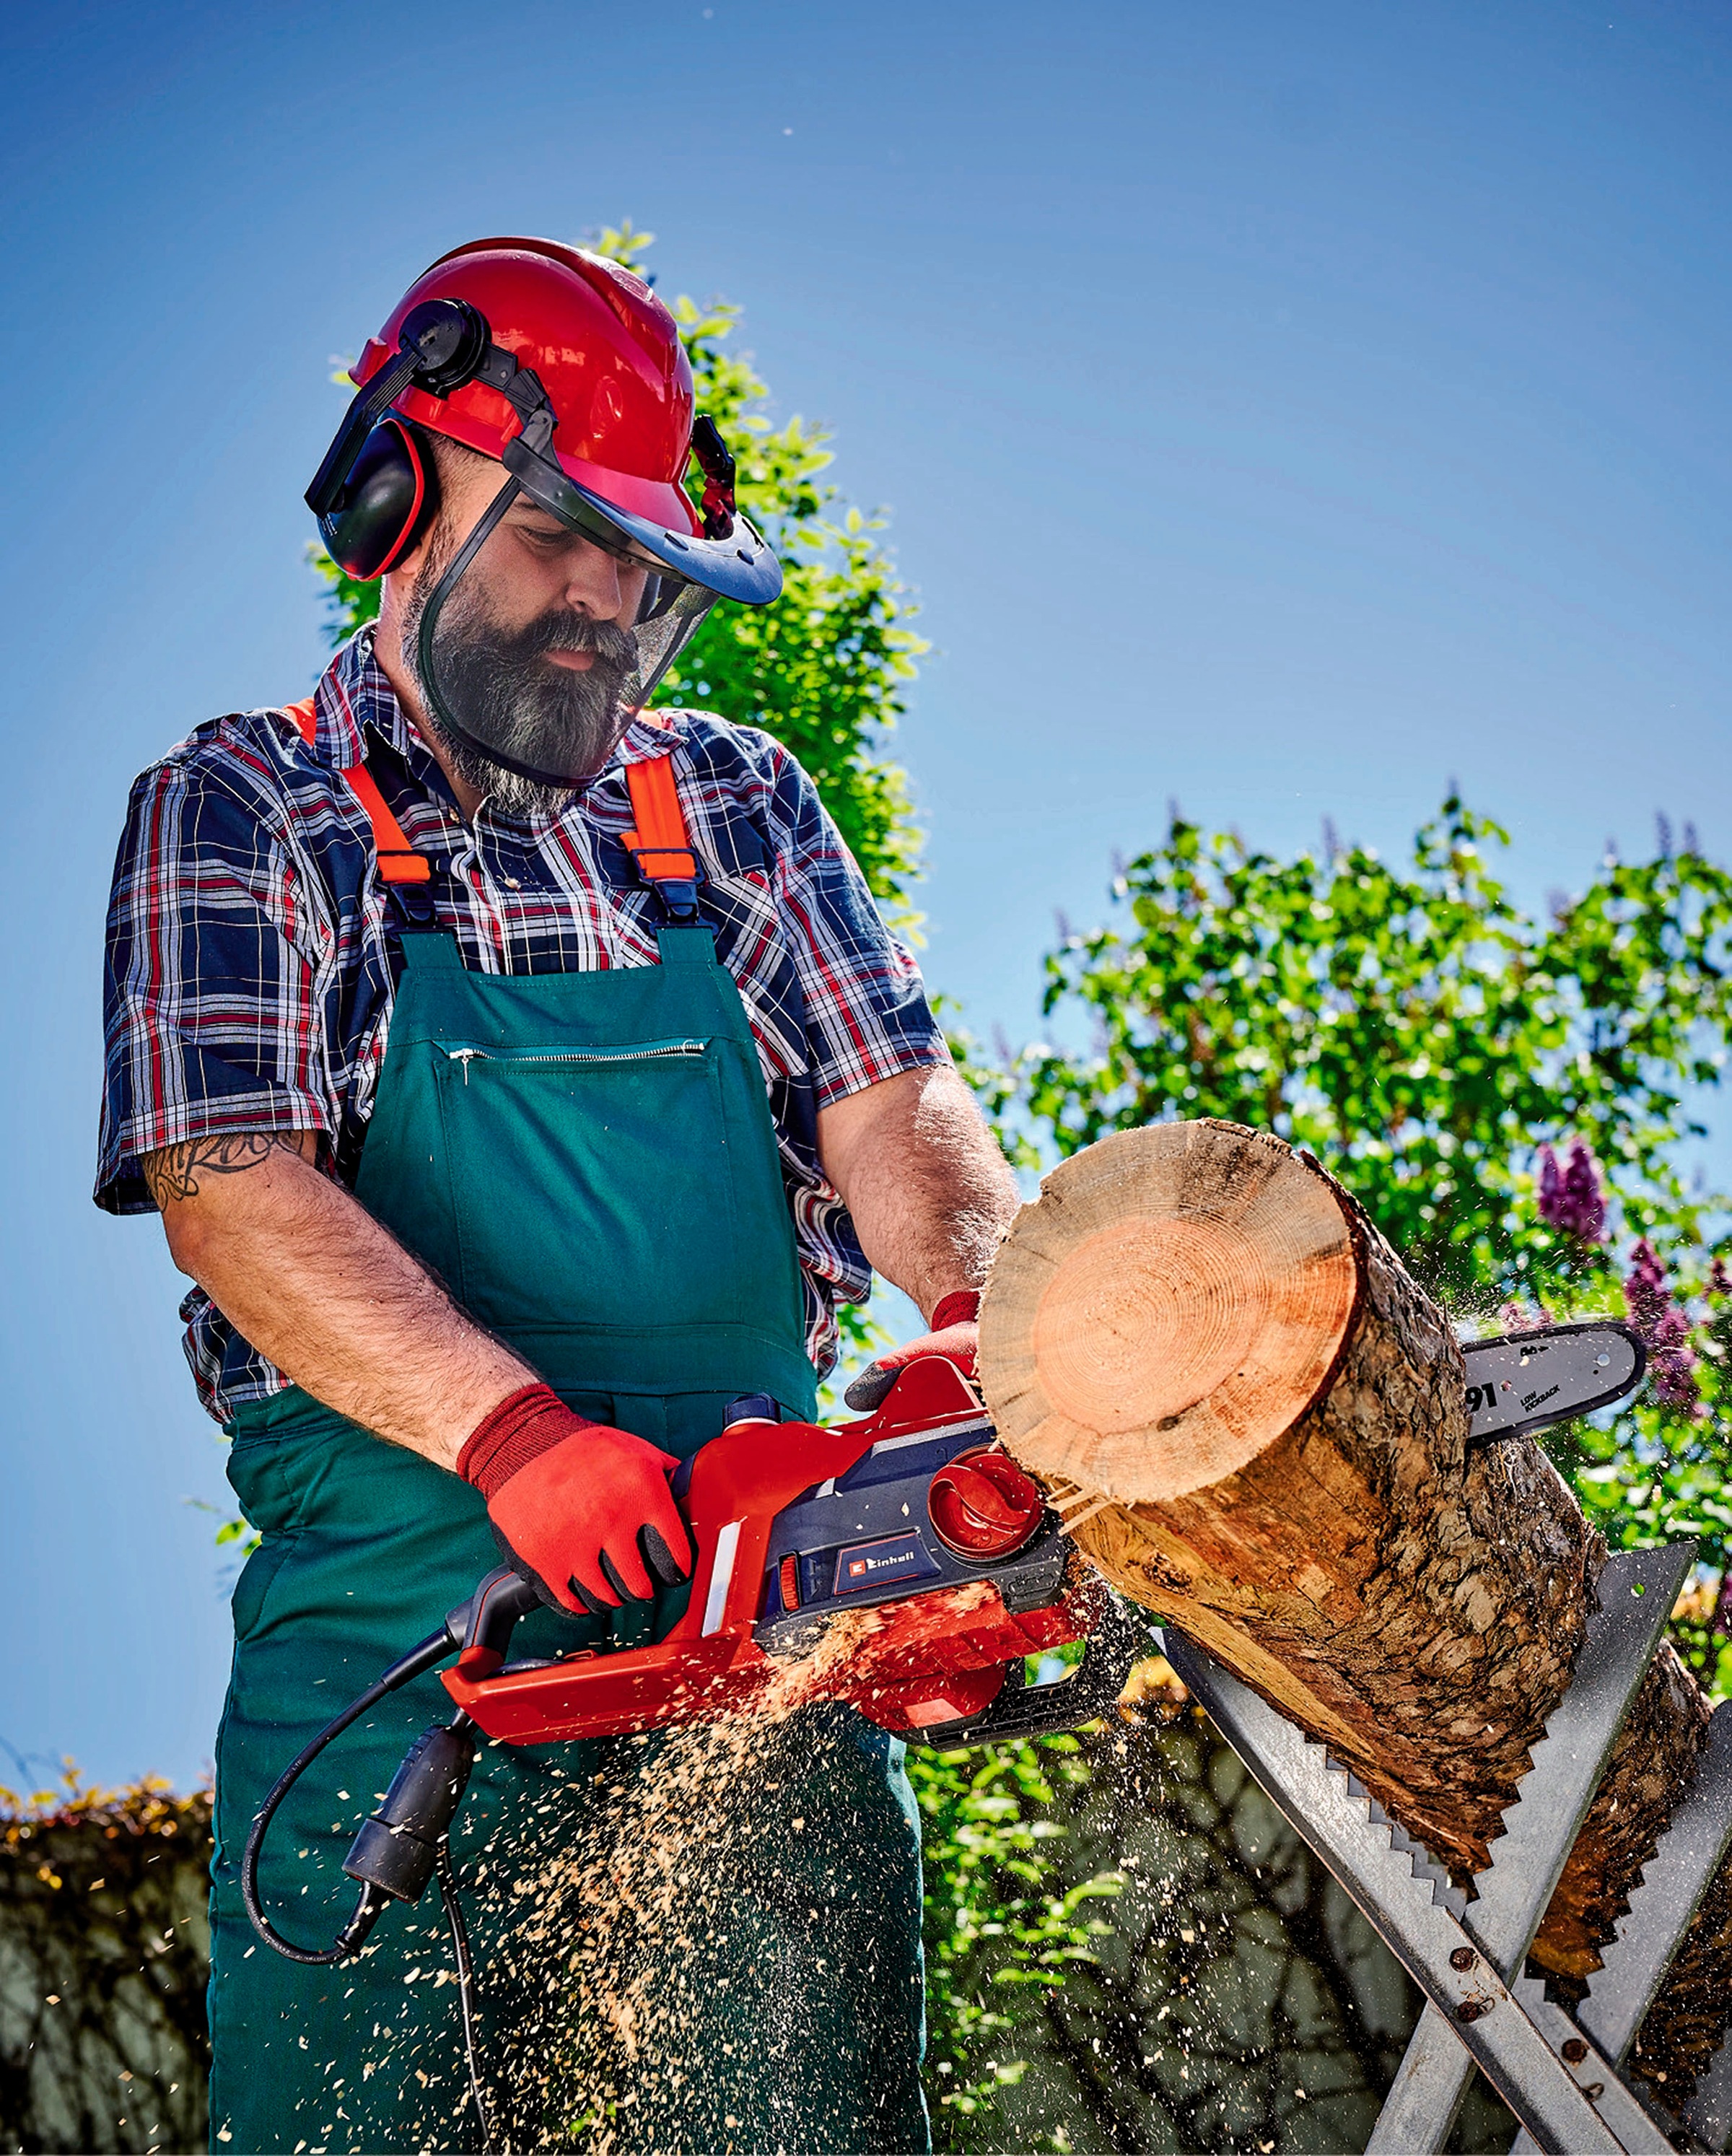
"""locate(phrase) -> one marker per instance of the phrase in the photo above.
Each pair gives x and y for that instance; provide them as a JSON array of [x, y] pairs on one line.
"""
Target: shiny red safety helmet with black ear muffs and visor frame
[[571, 372]]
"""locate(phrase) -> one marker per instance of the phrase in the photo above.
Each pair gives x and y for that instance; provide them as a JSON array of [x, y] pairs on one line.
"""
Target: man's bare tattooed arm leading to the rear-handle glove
[[312, 1280]]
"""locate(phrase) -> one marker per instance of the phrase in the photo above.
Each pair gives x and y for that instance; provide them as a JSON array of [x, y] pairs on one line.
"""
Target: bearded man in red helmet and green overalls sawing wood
[[523, 1077]]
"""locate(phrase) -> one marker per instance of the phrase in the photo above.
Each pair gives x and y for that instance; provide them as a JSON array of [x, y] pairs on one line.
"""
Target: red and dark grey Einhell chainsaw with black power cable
[[903, 1564]]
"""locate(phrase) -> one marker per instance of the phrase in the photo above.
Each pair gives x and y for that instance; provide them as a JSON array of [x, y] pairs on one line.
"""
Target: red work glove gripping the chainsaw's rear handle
[[581, 1510]]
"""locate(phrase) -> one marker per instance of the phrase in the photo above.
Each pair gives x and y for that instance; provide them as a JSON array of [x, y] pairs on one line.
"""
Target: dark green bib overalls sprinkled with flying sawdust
[[590, 1163]]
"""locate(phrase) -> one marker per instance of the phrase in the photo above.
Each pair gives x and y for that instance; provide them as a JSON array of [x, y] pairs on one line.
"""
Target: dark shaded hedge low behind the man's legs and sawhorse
[[1231, 1998]]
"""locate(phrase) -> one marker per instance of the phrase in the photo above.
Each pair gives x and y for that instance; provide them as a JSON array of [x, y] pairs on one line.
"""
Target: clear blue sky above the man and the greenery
[[1282, 409]]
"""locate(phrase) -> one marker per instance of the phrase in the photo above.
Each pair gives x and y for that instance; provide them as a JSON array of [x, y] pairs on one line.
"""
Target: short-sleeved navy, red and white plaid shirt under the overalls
[[249, 982]]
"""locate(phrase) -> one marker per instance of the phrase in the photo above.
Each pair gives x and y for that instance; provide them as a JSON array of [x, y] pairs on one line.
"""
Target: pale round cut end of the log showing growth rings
[[1166, 1310]]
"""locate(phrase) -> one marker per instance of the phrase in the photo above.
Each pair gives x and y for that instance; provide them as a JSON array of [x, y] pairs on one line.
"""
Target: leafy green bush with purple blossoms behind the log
[[1507, 1094]]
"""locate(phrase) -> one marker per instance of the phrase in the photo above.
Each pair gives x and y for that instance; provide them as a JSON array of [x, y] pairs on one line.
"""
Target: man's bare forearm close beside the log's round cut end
[[924, 1180]]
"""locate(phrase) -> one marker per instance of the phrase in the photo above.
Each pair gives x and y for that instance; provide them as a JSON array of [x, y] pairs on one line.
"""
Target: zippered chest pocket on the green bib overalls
[[592, 1183]]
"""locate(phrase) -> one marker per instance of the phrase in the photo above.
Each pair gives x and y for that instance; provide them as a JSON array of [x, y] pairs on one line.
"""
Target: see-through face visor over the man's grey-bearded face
[[512, 672]]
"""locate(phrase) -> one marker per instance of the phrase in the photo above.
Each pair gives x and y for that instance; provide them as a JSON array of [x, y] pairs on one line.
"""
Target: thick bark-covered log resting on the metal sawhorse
[[1256, 1424]]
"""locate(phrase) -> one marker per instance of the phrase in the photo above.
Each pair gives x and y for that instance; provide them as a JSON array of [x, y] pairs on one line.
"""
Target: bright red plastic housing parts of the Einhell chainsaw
[[941, 1653]]
